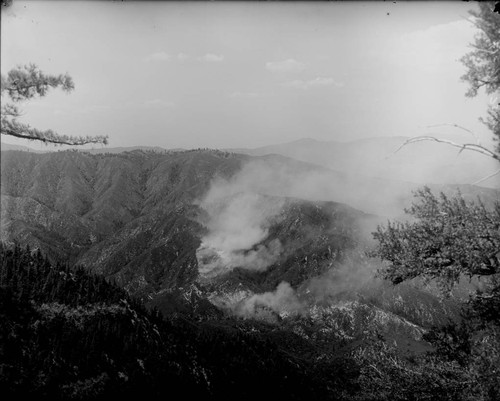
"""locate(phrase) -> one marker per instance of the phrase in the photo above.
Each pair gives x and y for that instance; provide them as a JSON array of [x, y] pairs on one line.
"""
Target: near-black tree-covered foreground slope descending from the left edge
[[65, 334]]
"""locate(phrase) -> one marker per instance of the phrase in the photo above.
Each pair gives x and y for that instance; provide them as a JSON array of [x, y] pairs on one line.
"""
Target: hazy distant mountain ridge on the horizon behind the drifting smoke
[[425, 162]]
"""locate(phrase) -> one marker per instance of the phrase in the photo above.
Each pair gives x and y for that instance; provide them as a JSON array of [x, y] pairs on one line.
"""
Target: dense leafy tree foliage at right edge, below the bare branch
[[448, 238]]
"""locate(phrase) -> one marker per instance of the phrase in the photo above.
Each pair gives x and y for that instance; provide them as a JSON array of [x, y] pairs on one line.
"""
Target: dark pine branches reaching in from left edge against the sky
[[28, 82]]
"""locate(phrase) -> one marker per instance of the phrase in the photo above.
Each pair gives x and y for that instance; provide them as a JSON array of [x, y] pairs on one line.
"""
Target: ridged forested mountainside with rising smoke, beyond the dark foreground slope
[[188, 230]]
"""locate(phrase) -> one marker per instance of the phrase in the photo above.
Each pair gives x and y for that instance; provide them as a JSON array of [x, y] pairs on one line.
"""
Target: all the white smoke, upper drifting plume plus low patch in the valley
[[241, 210]]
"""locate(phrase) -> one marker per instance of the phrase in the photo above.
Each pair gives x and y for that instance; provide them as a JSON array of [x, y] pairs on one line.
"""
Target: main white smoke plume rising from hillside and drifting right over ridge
[[240, 210]]
